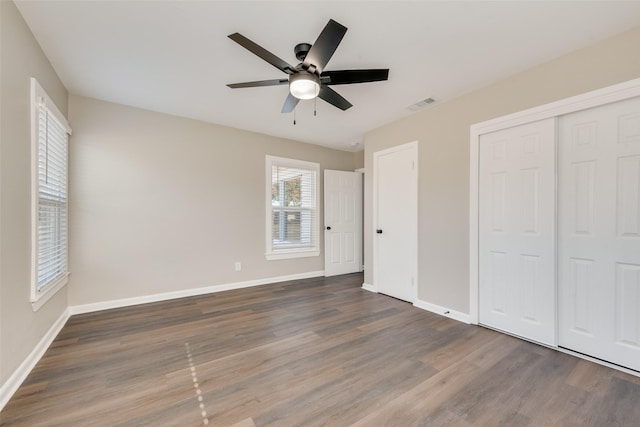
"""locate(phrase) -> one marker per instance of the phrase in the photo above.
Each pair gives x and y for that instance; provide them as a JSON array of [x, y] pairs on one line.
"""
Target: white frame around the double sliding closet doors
[[618, 92]]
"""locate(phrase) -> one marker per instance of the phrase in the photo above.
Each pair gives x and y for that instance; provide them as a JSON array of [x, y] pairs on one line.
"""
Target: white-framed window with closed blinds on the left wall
[[50, 137]]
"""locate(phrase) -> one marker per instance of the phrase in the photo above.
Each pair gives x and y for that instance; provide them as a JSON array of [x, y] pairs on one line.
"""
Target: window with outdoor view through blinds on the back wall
[[292, 208]]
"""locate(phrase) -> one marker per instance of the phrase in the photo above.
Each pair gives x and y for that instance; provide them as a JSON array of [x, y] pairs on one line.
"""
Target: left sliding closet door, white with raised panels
[[516, 231]]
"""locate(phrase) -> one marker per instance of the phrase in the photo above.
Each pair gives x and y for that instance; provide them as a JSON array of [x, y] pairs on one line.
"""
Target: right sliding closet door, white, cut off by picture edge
[[599, 232]]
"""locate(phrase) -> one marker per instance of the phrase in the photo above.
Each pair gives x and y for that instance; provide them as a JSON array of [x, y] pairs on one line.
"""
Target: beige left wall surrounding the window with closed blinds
[[21, 58]]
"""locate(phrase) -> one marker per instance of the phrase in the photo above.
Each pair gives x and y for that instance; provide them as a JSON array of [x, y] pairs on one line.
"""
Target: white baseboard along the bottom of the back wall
[[126, 302]]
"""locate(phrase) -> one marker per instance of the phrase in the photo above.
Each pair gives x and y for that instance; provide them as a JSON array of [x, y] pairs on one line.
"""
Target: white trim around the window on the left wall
[[39, 297]]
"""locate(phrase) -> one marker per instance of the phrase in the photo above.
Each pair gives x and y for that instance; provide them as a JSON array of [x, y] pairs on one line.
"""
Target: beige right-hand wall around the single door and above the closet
[[443, 135]]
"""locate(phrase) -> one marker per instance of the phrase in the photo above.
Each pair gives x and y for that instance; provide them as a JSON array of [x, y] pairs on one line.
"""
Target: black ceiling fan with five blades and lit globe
[[308, 79]]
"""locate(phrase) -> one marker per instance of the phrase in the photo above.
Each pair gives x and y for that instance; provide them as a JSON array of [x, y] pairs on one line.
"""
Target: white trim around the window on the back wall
[[270, 253]]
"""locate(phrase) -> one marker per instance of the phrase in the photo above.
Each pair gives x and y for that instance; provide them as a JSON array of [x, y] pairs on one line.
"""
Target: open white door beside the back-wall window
[[342, 222]]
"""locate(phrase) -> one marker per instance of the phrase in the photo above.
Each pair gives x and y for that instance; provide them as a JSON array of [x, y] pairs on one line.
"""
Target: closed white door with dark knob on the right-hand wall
[[395, 245]]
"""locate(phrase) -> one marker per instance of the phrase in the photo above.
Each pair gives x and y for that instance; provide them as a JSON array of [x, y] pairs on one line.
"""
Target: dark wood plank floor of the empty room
[[308, 353]]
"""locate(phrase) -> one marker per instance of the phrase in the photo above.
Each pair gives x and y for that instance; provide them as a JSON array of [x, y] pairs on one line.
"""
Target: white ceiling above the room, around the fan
[[175, 57]]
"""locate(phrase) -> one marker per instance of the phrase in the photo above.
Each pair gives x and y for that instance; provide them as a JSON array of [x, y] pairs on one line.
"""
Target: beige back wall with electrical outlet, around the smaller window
[[160, 203]]
